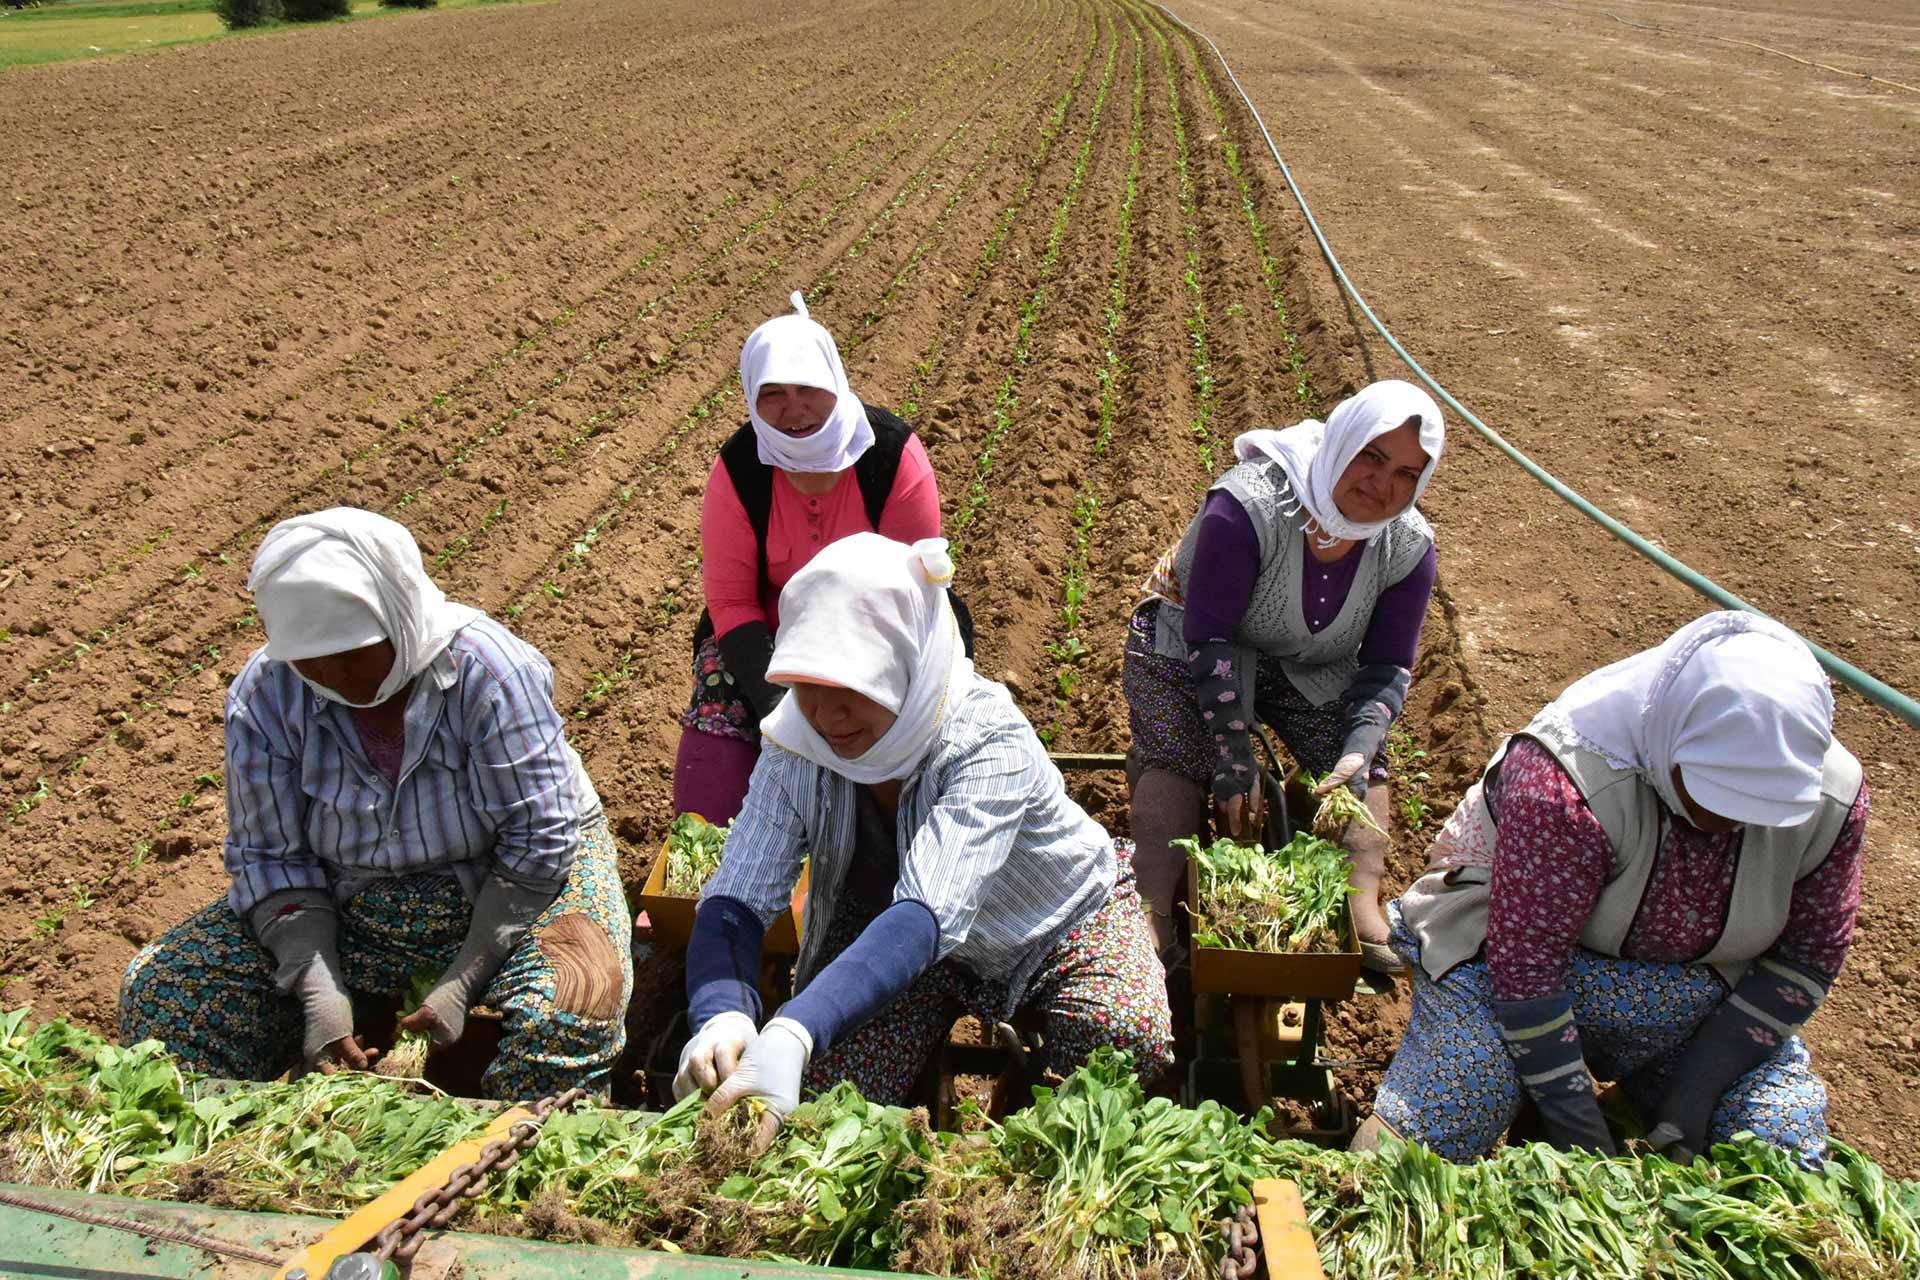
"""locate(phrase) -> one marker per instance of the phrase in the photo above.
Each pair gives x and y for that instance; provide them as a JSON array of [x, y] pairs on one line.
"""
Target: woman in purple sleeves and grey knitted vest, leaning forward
[[1295, 598]]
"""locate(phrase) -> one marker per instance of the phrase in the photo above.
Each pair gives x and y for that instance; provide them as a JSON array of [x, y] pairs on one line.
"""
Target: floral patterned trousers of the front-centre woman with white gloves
[[1099, 985]]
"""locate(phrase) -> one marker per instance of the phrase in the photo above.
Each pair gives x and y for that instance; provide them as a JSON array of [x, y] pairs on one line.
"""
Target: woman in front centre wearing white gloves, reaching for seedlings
[[949, 866]]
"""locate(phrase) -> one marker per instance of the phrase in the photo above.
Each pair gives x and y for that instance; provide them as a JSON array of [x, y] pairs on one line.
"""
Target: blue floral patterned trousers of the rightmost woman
[[1454, 1087]]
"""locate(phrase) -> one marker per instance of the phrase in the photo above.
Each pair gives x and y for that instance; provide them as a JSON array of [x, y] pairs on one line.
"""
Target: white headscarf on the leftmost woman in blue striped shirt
[[345, 579]]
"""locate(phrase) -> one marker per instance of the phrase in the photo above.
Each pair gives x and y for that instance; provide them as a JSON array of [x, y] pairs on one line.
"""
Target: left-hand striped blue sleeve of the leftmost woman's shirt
[[266, 847]]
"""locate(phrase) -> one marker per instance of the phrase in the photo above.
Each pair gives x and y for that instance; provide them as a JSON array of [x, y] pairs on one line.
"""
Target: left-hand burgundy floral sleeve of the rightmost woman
[[1550, 865]]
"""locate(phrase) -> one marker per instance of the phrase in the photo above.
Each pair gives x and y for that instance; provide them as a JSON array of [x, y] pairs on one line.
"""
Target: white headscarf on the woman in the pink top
[[796, 350]]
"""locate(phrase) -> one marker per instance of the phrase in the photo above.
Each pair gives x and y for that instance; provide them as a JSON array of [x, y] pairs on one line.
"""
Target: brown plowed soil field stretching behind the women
[[489, 273]]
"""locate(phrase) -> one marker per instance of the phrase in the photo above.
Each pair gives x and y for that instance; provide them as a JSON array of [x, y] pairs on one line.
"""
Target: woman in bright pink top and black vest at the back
[[811, 467]]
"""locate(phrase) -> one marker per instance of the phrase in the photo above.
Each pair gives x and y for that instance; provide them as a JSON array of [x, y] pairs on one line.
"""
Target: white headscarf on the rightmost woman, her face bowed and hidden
[[1735, 699]]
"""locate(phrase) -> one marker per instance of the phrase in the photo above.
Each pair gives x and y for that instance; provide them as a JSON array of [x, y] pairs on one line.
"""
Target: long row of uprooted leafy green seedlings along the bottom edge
[[1093, 1181]]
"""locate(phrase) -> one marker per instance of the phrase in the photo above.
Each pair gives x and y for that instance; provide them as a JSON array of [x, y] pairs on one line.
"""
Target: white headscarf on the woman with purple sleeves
[[1316, 454]]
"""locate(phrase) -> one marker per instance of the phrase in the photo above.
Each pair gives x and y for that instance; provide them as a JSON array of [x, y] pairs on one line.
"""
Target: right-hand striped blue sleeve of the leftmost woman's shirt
[[521, 772]]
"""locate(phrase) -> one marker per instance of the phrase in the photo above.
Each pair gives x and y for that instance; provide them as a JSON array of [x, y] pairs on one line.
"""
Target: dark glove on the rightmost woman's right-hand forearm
[[1742, 1033]]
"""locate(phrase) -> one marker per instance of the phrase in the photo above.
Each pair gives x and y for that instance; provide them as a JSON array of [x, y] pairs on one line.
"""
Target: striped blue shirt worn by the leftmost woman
[[487, 780]]
